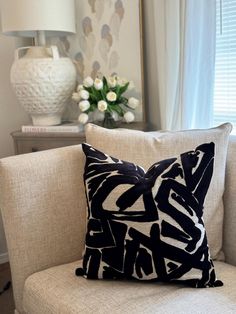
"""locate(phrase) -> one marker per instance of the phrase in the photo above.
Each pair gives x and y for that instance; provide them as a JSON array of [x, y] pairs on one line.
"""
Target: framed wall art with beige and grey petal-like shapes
[[109, 41]]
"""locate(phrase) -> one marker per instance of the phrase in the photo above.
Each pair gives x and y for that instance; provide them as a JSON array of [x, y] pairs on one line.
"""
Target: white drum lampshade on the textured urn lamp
[[25, 17]]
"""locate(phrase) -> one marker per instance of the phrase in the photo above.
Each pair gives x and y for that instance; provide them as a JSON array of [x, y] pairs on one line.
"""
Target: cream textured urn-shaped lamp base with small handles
[[43, 83]]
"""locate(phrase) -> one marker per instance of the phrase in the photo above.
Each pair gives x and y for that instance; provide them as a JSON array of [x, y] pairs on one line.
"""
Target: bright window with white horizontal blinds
[[225, 67]]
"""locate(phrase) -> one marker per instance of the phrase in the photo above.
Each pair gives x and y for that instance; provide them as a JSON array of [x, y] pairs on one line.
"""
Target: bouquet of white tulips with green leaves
[[105, 97]]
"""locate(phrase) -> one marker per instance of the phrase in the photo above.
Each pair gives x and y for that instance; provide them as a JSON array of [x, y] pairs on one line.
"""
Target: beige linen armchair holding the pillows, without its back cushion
[[44, 212]]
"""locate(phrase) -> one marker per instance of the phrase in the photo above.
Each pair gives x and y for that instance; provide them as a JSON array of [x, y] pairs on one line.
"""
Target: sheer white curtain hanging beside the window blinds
[[185, 49]]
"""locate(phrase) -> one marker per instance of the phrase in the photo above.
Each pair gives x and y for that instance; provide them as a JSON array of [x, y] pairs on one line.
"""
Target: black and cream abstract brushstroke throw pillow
[[148, 225]]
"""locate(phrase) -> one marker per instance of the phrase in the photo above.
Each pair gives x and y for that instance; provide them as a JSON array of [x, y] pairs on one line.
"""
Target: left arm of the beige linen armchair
[[43, 208]]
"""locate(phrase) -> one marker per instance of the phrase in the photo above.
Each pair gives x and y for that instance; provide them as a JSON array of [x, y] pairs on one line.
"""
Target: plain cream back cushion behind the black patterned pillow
[[144, 149]]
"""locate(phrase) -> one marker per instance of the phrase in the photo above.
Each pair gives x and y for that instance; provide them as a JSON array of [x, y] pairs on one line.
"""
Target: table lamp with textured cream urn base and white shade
[[43, 81]]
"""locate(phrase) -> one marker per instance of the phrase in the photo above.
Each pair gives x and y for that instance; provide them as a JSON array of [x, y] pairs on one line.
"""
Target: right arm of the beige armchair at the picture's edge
[[229, 242]]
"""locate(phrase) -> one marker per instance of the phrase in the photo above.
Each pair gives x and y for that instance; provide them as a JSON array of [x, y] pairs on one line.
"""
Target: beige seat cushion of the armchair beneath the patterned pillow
[[58, 290]]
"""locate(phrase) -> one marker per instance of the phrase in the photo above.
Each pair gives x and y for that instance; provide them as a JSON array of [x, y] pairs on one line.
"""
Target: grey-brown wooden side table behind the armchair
[[33, 142]]
